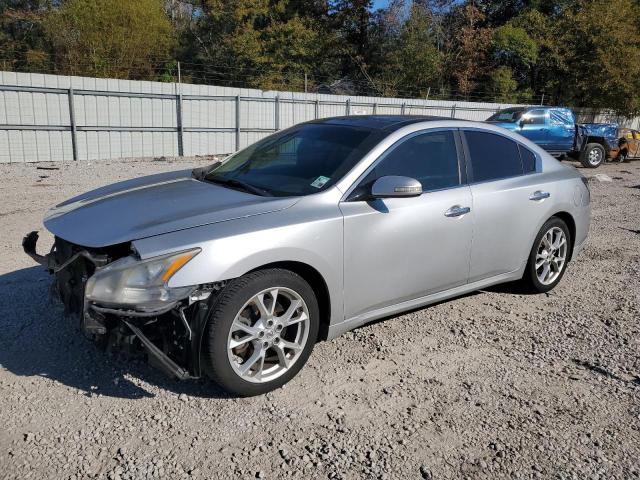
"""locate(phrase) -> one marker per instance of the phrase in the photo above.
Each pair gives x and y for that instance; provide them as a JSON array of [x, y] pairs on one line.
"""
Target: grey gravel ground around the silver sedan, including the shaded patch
[[493, 384]]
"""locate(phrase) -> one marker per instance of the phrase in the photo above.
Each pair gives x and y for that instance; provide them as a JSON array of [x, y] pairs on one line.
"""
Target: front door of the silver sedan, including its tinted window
[[399, 249]]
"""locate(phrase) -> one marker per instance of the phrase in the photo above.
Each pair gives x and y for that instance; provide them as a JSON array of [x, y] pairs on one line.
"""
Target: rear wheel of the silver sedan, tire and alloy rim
[[549, 256]]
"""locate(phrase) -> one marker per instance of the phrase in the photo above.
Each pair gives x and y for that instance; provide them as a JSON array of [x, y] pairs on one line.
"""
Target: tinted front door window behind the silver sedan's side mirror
[[431, 158]]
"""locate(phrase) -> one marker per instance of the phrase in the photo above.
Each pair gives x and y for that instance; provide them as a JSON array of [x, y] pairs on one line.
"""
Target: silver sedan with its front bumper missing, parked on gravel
[[235, 271]]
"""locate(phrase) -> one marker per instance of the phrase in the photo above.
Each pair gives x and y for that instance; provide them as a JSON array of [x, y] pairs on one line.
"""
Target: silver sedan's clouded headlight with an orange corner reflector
[[139, 284]]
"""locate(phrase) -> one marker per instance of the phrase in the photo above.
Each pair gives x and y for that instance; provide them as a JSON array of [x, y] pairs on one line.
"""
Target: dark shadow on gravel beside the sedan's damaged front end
[[39, 340]]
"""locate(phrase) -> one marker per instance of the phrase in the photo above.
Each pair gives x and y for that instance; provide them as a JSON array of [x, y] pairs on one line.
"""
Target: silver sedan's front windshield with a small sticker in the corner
[[301, 160]]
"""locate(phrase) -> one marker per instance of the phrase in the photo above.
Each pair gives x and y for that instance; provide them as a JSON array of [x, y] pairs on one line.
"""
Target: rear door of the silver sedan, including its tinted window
[[507, 194]]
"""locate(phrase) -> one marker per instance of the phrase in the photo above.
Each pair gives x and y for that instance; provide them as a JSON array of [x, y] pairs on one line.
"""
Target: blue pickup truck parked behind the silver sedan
[[555, 130]]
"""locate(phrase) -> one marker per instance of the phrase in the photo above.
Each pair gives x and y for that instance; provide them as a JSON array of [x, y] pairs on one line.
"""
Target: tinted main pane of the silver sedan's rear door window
[[492, 156]]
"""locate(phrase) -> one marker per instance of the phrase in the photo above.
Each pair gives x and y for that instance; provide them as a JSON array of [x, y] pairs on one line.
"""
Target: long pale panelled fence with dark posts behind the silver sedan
[[61, 118]]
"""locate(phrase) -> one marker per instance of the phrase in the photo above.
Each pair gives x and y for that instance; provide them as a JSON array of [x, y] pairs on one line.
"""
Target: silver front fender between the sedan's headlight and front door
[[231, 249]]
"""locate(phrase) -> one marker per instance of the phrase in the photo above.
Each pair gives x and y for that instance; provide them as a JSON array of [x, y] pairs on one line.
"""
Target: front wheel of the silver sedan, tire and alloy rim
[[261, 331]]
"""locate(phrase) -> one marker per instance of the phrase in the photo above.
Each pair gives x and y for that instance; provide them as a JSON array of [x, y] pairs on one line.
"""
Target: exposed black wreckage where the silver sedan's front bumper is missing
[[171, 336]]
